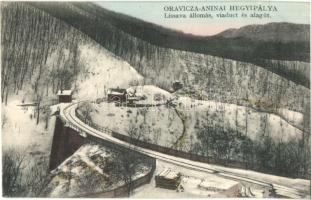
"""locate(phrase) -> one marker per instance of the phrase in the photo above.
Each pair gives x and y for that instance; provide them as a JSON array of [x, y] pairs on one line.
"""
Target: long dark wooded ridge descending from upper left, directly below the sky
[[101, 25]]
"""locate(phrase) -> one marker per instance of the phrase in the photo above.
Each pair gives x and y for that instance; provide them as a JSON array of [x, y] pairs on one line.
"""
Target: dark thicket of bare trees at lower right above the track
[[291, 158]]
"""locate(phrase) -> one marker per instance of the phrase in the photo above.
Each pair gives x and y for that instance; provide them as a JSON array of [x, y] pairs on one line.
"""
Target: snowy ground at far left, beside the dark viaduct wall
[[22, 136]]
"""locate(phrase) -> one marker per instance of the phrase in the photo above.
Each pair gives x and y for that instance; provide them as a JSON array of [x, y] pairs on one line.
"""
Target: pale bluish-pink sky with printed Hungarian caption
[[295, 12]]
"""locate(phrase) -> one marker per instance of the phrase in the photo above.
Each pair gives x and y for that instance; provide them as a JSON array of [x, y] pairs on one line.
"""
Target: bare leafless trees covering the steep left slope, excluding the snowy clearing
[[39, 51]]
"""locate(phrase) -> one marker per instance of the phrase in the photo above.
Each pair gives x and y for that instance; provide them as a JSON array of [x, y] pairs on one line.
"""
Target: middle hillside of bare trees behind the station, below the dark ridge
[[226, 79]]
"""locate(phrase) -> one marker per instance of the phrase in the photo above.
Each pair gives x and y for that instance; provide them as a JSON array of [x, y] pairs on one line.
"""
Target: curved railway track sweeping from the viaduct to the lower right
[[67, 114]]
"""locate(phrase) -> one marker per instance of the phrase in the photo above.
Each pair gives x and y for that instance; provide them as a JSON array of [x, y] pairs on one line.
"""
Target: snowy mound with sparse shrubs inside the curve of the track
[[151, 123]]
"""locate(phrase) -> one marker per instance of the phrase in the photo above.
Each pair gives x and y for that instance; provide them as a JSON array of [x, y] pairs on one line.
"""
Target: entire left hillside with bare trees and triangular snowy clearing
[[45, 54]]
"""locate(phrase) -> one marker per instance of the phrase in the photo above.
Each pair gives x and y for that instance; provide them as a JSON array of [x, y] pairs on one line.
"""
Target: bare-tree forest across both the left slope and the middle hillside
[[43, 51]]
